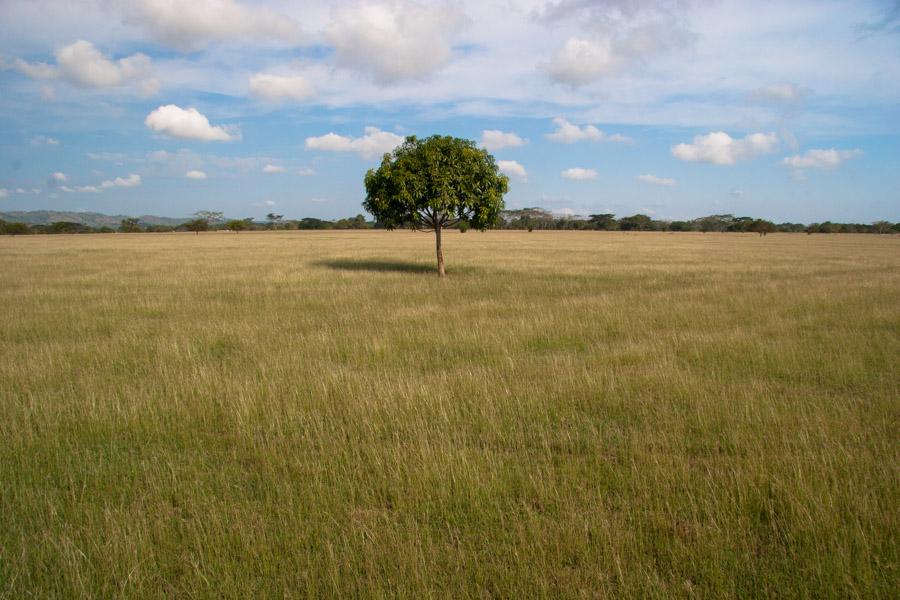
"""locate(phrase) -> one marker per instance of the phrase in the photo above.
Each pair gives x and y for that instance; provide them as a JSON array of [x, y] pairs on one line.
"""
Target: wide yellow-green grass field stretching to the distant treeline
[[567, 414]]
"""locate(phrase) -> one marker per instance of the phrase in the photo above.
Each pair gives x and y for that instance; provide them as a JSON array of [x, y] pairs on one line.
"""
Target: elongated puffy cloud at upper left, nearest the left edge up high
[[84, 66]]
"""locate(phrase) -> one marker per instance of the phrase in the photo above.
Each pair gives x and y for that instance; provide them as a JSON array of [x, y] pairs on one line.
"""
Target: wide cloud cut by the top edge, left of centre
[[192, 25]]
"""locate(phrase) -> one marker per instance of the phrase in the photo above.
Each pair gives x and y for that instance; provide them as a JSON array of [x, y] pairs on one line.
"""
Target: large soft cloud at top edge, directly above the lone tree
[[396, 41]]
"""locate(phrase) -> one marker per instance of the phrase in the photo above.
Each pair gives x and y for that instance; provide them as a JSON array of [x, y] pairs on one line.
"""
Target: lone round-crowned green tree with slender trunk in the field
[[434, 183]]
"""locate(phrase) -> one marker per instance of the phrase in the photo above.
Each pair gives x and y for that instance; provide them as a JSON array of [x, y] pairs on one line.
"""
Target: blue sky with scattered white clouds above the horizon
[[677, 109]]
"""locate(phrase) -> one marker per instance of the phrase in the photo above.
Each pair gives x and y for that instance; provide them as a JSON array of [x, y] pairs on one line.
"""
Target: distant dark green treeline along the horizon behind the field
[[529, 219]]
